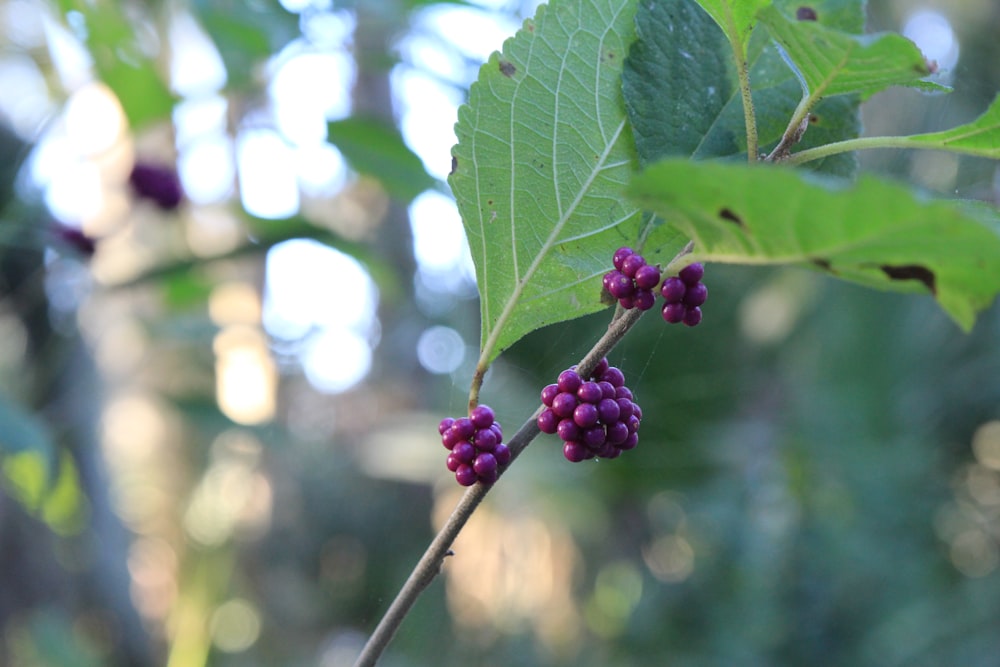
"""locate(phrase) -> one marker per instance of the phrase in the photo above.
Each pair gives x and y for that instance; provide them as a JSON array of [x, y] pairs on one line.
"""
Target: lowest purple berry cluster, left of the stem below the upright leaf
[[476, 446]]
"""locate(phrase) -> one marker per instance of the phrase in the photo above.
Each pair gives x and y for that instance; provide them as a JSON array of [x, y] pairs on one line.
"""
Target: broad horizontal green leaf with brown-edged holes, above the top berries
[[876, 233]]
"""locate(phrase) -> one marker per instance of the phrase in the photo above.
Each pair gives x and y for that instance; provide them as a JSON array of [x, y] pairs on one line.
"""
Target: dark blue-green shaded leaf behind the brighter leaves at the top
[[682, 95]]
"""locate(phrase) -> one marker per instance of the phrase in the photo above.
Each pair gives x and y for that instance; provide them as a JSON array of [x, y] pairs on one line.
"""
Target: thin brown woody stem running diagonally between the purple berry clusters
[[440, 547]]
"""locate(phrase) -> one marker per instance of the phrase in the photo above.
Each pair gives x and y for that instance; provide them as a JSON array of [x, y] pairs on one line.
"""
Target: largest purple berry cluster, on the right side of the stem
[[594, 416]]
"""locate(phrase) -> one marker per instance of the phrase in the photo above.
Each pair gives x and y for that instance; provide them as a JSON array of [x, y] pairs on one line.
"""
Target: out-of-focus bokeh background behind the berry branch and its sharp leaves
[[235, 300]]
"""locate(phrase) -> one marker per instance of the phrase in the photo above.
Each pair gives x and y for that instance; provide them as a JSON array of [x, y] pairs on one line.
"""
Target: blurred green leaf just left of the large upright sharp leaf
[[377, 149]]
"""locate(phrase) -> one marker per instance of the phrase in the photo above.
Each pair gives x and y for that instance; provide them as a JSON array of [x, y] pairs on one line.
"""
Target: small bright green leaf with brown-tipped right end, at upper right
[[833, 62]]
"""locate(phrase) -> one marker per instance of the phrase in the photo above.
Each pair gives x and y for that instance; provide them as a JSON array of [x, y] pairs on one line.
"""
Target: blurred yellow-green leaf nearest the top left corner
[[121, 60]]
